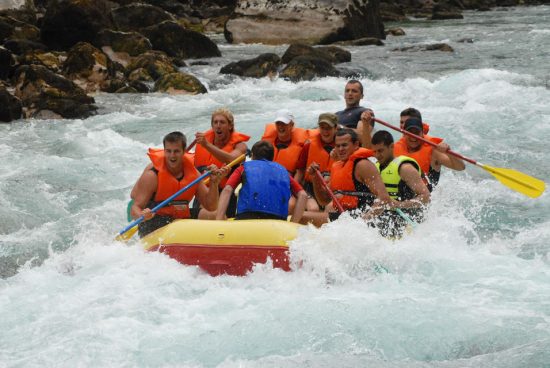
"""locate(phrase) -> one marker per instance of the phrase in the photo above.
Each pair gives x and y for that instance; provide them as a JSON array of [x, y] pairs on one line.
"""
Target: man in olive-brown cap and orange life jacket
[[318, 149]]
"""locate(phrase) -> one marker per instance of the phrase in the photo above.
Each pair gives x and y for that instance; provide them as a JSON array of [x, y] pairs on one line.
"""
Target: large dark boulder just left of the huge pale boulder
[[177, 41]]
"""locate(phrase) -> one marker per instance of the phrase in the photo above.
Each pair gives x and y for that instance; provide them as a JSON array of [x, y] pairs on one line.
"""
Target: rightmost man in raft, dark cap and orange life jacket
[[428, 157]]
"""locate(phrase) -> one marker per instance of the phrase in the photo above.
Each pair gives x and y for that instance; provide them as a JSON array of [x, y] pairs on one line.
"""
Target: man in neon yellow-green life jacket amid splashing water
[[404, 182]]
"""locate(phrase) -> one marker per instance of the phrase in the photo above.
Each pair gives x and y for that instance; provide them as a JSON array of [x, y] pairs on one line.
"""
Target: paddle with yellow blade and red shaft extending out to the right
[[515, 180]]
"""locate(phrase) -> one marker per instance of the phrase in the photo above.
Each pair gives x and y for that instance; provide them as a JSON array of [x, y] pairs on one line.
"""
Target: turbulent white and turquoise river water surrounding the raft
[[470, 287]]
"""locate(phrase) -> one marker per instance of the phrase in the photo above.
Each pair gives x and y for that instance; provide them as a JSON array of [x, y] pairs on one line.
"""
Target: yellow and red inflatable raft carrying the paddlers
[[225, 247]]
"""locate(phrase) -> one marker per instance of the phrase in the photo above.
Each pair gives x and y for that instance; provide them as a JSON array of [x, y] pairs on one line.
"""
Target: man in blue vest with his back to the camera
[[266, 189]]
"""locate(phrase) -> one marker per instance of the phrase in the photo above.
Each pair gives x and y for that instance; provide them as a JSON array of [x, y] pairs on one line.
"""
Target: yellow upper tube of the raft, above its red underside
[[258, 233]]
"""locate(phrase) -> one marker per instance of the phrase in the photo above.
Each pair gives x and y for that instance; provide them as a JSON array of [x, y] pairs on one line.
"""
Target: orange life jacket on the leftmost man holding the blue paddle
[[167, 185]]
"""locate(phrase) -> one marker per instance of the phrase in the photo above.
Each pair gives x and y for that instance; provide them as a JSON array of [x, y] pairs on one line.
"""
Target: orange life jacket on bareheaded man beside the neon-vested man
[[343, 180]]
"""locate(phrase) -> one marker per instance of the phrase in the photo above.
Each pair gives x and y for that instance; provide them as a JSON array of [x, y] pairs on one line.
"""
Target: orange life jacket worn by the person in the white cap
[[287, 157]]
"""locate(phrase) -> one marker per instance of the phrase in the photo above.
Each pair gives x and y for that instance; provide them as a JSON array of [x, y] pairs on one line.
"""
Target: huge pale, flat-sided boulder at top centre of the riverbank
[[304, 21]]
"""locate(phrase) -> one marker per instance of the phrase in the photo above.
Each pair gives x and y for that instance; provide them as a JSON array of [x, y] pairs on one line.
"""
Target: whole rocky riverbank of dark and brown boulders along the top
[[55, 55]]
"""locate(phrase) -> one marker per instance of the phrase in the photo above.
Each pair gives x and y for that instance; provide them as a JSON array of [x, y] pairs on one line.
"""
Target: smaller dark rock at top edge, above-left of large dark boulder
[[136, 16]]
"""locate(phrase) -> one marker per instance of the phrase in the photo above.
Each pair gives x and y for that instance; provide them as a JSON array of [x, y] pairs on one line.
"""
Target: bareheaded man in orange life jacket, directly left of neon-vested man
[[354, 180]]
